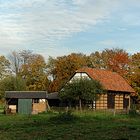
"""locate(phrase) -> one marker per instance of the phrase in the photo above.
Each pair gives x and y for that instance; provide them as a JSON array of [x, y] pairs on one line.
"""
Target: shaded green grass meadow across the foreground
[[81, 126]]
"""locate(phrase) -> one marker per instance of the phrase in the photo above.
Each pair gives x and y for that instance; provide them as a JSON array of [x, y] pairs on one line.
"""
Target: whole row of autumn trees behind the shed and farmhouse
[[25, 70]]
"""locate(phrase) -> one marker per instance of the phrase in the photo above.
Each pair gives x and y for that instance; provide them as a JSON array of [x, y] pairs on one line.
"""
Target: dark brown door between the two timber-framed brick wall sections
[[110, 101]]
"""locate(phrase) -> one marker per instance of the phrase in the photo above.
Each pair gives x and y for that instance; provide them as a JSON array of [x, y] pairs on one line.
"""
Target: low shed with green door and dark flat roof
[[29, 102]]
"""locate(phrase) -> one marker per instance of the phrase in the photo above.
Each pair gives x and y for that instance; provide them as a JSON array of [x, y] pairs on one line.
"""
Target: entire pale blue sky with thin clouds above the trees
[[60, 27]]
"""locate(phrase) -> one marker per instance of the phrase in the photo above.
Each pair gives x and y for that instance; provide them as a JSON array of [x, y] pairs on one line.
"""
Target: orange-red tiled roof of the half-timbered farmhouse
[[110, 80]]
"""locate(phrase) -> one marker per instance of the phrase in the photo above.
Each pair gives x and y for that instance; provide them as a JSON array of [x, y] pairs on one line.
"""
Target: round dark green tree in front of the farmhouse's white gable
[[87, 89]]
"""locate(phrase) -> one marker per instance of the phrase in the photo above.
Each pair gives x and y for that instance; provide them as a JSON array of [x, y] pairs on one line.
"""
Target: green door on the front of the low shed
[[24, 106]]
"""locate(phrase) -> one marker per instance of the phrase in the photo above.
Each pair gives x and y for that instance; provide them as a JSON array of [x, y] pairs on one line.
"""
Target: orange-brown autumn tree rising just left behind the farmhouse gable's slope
[[62, 68]]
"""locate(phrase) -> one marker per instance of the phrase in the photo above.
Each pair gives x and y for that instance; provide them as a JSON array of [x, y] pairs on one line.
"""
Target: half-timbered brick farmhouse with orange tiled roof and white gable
[[118, 91]]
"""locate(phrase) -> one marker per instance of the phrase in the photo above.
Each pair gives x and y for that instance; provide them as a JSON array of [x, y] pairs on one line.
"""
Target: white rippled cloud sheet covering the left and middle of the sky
[[45, 22]]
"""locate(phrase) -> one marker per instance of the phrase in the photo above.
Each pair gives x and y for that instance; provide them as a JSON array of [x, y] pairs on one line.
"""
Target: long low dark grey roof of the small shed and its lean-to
[[30, 95]]
